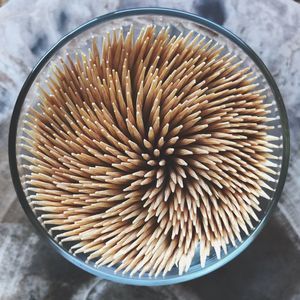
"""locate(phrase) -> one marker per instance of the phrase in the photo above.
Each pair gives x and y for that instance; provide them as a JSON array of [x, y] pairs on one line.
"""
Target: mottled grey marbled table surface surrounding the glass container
[[269, 269]]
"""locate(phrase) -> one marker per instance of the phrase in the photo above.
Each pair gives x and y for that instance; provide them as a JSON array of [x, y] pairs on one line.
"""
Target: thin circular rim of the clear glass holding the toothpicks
[[134, 12]]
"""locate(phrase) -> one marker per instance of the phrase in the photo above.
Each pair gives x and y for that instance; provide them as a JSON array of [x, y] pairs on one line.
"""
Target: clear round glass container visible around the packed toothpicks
[[178, 22]]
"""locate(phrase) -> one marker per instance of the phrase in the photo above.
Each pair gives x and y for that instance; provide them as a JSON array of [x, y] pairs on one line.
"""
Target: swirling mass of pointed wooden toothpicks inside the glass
[[143, 149]]
